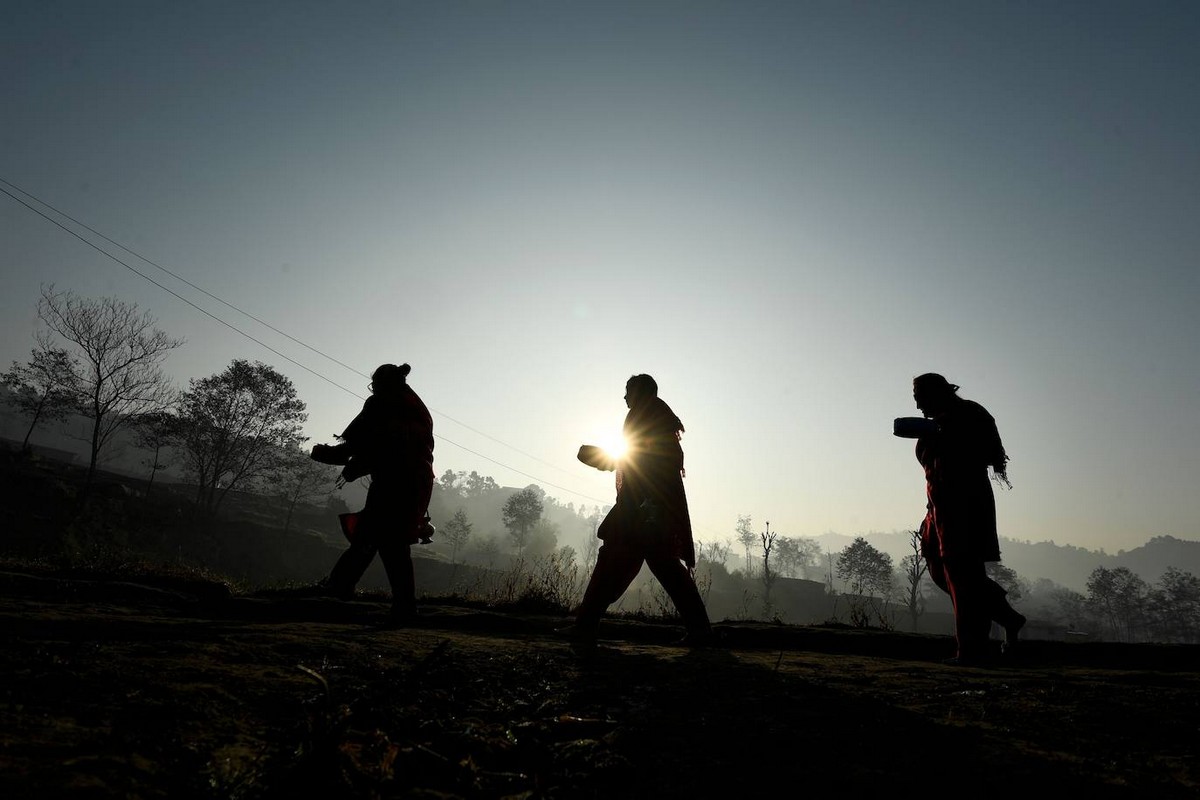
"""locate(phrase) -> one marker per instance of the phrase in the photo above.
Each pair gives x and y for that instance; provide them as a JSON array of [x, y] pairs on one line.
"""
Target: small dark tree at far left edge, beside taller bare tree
[[46, 388]]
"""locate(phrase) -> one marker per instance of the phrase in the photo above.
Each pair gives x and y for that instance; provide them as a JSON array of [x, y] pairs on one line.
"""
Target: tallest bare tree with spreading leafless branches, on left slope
[[117, 362]]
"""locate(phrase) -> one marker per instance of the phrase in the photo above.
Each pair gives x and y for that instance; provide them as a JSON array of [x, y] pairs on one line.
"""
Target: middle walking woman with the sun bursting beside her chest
[[650, 522]]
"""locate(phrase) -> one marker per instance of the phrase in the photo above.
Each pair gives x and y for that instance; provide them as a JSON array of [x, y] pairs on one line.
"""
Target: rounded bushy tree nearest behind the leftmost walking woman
[[235, 426]]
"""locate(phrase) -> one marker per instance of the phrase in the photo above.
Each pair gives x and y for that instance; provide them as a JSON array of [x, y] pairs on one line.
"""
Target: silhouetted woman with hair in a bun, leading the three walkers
[[392, 441]]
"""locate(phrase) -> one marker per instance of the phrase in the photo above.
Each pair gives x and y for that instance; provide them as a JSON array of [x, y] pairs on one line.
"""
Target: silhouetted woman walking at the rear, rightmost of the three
[[959, 532]]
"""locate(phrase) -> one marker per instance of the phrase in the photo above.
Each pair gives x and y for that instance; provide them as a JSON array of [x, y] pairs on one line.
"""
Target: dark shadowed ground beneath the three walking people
[[125, 690]]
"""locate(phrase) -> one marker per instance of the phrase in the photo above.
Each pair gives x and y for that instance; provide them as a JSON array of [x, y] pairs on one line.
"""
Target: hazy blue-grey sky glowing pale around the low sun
[[783, 212]]
